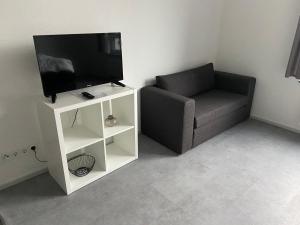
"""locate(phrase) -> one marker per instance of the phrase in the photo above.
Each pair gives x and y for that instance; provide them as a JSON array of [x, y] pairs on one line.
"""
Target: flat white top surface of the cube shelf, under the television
[[69, 100]]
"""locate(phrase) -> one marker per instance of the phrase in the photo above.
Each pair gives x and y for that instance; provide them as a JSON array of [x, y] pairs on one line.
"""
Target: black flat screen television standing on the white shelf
[[73, 61]]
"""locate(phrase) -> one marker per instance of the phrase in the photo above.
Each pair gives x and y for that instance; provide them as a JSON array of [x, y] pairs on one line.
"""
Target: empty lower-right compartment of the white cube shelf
[[120, 150]]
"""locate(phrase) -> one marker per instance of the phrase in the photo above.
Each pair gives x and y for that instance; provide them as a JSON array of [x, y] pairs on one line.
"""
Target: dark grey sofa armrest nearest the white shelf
[[167, 118]]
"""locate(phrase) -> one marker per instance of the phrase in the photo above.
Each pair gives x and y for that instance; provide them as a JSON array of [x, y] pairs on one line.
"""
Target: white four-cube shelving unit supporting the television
[[113, 147]]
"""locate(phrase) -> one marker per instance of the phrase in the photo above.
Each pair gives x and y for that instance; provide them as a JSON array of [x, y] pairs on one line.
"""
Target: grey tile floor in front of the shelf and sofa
[[248, 175]]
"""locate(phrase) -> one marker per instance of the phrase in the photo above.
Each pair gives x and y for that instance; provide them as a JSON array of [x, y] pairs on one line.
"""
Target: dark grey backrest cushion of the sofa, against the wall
[[188, 83]]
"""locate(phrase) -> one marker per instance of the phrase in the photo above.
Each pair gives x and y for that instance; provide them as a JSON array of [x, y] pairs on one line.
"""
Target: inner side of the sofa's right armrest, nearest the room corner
[[235, 83]]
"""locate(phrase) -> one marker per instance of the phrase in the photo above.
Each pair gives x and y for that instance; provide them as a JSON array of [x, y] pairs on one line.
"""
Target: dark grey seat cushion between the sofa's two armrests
[[216, 103]]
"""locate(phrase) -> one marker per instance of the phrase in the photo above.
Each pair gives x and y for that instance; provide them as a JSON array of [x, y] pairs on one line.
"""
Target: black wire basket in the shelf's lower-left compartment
[[81, 165]]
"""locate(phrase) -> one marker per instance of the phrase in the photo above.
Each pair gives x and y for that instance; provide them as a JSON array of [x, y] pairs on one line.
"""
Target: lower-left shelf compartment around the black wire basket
[[99, 170]]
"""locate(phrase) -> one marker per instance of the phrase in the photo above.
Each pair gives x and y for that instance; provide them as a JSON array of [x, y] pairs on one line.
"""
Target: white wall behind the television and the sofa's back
[[158, 37]]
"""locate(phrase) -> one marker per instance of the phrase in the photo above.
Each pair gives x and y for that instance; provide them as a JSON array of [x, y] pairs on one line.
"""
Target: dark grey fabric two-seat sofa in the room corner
[[184, 109]]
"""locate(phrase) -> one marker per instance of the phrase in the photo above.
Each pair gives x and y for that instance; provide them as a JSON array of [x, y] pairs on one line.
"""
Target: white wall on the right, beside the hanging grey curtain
[[256, 39]]
